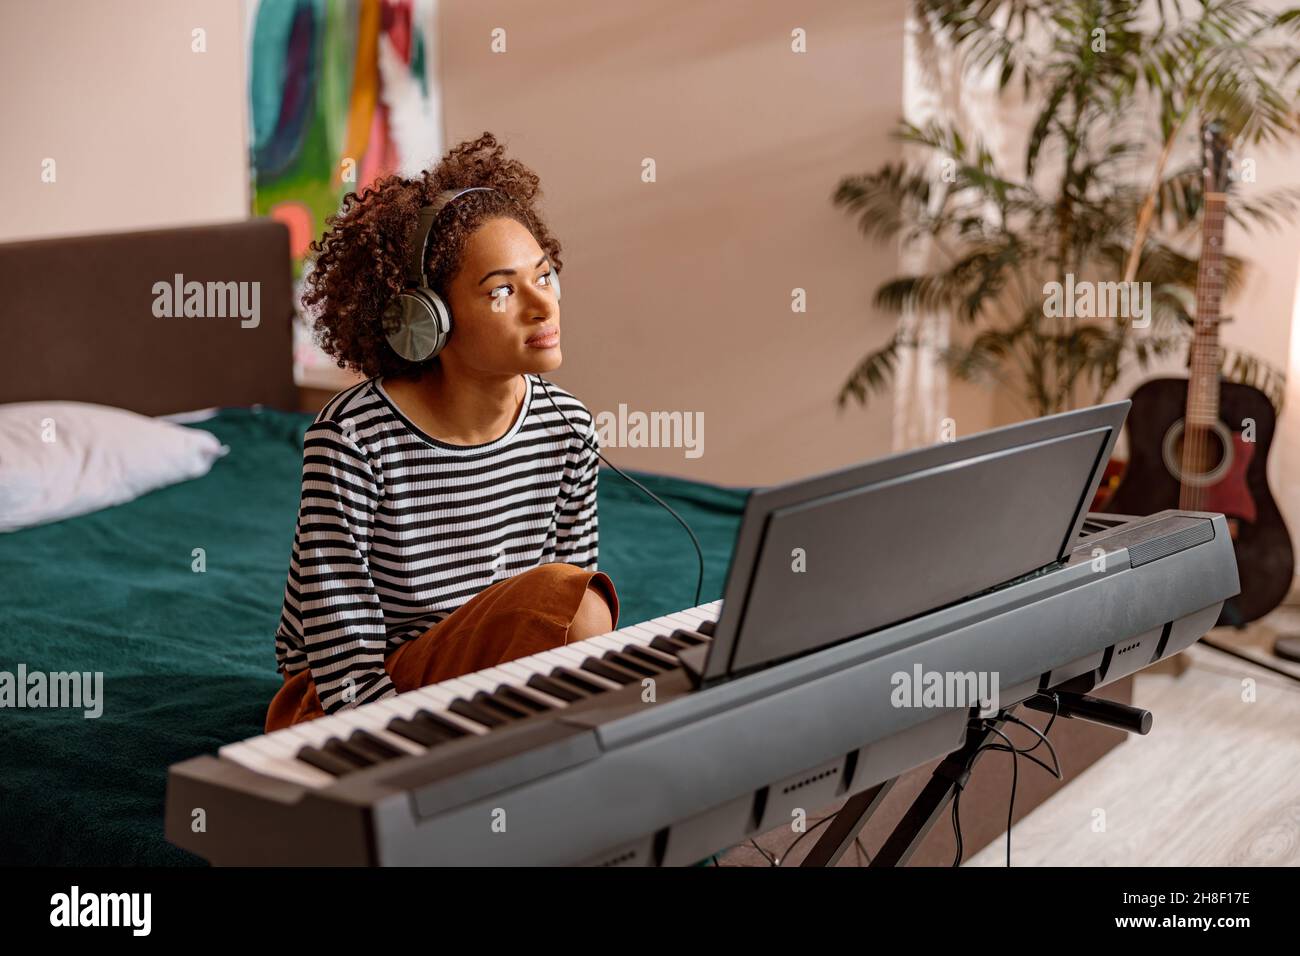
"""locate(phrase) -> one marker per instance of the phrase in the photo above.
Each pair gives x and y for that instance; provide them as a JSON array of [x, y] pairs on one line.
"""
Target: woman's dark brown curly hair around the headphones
[[359, 263]]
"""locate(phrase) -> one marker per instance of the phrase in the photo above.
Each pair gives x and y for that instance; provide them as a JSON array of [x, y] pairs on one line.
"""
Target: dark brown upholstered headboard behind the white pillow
[[80, 319]]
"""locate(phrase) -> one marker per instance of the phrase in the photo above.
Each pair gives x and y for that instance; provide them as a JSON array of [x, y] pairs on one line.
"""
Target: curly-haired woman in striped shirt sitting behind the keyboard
[[448, 518]]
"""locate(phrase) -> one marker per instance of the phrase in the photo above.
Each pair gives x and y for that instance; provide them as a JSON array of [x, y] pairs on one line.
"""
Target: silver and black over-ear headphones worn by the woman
[[419, 318]]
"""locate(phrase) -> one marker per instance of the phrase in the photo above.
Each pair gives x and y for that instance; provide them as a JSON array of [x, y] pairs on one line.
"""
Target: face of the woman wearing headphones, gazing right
[[500, 300]]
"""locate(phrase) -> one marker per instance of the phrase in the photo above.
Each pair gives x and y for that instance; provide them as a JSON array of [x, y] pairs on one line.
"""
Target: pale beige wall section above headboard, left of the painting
[[142, 131]]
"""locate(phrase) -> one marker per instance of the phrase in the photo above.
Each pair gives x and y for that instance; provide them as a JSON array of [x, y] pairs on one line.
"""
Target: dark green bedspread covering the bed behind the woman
[[189, 659]]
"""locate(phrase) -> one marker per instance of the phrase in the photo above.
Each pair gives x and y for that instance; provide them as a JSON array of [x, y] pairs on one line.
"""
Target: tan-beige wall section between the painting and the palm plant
[[678, 293]]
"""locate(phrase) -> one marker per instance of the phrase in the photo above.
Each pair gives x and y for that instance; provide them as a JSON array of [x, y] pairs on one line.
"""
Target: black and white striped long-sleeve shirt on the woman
[[397, 530]]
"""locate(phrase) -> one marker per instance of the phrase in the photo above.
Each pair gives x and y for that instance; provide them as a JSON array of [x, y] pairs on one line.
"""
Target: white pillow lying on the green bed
[[59, 460]]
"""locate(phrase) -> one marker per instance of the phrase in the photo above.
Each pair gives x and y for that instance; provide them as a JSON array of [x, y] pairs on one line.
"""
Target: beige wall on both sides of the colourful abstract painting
[[678, 293]]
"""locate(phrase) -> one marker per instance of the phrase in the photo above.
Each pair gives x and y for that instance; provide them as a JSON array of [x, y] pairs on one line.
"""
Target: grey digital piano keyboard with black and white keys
[[608, 752]]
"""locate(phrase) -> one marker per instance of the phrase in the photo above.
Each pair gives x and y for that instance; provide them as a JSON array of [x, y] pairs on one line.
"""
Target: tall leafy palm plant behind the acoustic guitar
[[1074, 205]]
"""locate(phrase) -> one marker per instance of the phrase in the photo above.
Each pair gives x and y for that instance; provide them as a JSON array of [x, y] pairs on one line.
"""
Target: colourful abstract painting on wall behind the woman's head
[[340, 93]]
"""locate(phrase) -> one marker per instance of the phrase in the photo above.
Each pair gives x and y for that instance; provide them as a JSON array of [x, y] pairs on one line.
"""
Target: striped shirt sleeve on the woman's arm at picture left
[[343, 620]]
